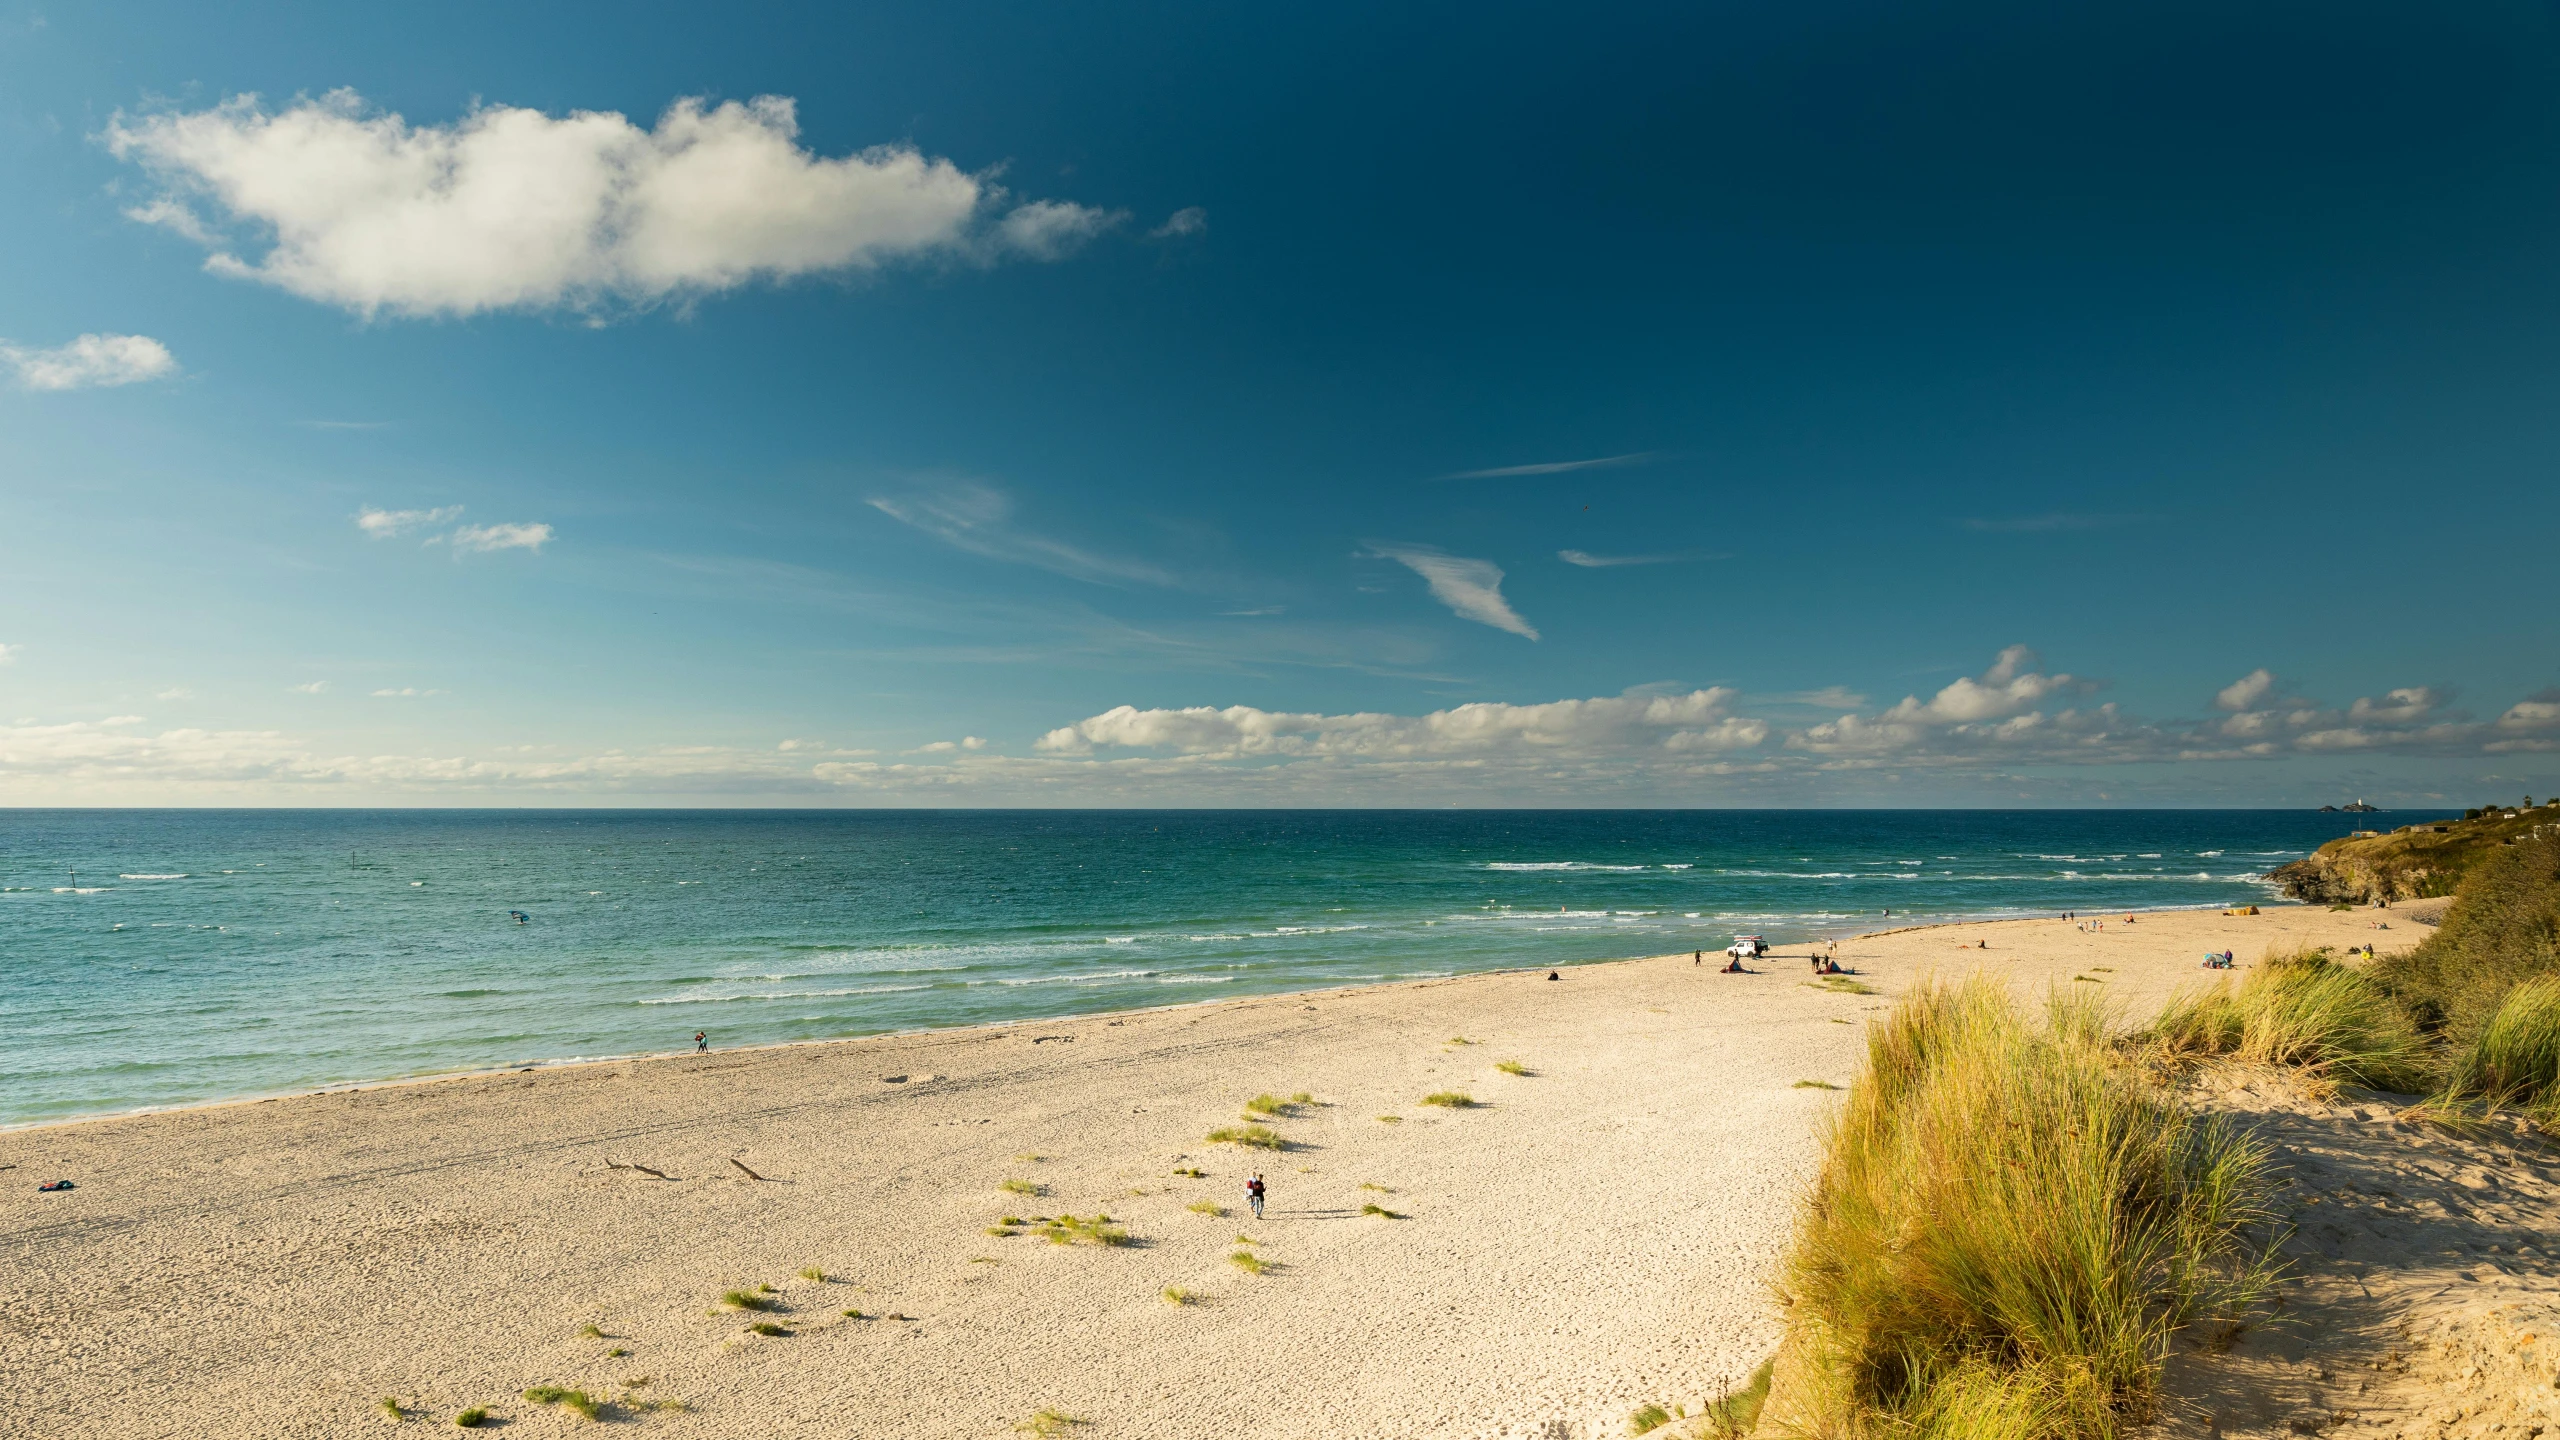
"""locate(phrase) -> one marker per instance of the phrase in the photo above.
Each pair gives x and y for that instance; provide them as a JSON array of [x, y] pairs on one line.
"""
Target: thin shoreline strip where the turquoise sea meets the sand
[[1056, 1019]]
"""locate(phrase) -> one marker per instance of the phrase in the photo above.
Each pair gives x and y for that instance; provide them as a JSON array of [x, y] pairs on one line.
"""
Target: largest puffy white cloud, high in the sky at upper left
[[513, 209]]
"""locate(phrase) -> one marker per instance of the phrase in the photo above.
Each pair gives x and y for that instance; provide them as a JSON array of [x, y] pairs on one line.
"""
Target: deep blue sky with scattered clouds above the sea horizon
[[1348, 406]]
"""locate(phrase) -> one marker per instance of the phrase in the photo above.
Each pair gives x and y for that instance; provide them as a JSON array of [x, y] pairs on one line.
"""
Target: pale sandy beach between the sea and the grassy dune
[[1591, 1236]]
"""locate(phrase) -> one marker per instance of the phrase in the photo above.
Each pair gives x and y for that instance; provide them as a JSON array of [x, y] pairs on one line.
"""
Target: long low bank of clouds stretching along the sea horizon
[[1645, 744]]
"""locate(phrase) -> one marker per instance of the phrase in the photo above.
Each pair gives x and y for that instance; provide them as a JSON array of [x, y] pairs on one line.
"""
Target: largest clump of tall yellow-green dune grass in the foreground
[[2008, 1229]]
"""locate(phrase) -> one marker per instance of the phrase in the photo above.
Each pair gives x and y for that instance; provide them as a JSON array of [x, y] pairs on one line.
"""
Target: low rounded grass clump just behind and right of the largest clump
[[2303, 1011]]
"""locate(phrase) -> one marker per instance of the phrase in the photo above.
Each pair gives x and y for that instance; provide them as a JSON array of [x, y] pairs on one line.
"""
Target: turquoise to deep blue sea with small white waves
[[168, 957]]
